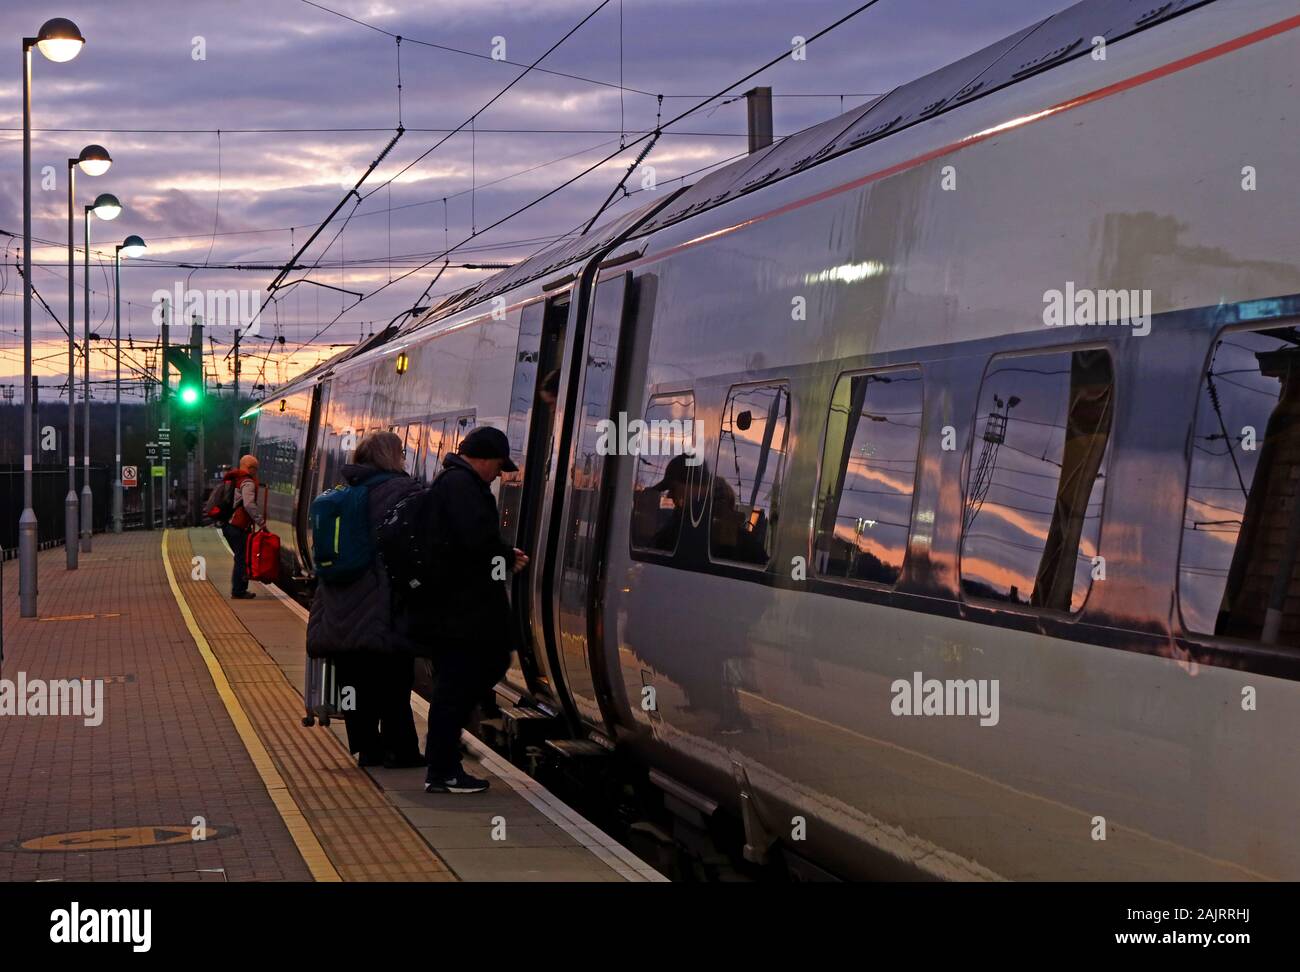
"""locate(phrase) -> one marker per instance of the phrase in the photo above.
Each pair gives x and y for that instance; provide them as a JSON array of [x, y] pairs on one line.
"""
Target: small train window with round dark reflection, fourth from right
[[752, 455]]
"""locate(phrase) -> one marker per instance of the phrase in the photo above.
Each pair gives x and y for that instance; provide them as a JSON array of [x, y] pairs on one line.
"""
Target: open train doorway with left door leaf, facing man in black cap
[[531, 431]]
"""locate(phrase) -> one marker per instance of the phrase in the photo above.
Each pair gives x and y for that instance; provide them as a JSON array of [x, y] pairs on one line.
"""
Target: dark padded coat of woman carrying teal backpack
[[359, 617]]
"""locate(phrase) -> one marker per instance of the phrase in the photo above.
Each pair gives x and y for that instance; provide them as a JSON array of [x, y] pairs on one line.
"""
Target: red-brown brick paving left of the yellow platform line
[[166, 753]]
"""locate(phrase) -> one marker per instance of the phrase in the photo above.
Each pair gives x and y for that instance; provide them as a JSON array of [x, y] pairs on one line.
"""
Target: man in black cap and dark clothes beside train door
[[476, 636]]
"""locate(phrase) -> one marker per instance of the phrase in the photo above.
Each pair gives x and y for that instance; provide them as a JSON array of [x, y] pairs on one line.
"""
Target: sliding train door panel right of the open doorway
[[578, 561]]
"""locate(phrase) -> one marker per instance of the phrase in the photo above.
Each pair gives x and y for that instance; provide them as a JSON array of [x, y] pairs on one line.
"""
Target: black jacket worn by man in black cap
[[474, 610]]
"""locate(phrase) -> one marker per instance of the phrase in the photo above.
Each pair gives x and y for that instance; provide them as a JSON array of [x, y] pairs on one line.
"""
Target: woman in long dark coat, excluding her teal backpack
[[354, 624]]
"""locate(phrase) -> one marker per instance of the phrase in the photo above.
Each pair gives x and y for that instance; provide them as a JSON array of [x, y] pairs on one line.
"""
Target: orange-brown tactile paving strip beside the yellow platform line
[[363, 835]]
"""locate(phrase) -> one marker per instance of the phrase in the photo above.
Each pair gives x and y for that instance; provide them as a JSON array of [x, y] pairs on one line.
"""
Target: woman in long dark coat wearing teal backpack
[[352, 619]]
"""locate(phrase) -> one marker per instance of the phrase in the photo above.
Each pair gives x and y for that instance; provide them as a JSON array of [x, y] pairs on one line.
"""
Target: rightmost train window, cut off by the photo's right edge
[[1242, 518]]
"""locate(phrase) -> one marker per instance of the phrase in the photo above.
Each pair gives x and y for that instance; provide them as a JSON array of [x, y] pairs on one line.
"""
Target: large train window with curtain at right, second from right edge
[[1032, 519]]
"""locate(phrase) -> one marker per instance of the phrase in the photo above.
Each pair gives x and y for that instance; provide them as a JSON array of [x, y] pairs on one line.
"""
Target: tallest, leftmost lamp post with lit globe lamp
[[59, 40]]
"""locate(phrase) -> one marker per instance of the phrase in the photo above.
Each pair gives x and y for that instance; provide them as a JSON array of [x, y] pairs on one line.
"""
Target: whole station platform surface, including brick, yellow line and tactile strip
[[196, 766]]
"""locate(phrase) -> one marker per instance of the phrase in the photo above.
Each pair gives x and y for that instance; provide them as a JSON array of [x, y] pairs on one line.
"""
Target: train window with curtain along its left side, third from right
[[869, 472]]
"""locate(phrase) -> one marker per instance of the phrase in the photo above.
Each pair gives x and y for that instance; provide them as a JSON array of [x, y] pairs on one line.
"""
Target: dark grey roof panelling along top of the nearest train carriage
[[1039, 47]]
